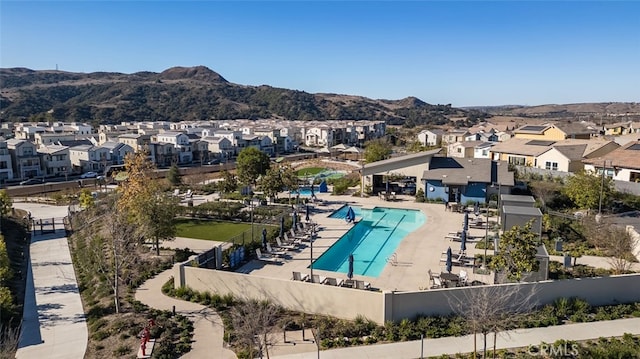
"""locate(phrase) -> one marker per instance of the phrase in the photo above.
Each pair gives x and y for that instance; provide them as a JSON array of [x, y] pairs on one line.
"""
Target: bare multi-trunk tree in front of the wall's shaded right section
[[490, 309]]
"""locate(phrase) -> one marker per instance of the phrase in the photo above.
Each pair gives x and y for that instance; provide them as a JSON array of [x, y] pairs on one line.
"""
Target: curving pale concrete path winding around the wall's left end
[[208, 328]]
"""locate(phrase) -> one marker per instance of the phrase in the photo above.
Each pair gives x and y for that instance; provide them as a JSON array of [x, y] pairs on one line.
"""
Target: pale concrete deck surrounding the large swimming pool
[[420, 251]]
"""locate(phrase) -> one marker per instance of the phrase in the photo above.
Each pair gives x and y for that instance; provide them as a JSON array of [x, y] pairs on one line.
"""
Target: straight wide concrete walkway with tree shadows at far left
[[54, 324]]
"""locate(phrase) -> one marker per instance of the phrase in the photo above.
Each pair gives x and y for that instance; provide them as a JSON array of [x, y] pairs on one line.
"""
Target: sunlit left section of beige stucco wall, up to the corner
[[304, 297]]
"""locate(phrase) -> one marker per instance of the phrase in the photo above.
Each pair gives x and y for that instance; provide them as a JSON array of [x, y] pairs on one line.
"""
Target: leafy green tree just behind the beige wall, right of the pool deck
[[517, 251]]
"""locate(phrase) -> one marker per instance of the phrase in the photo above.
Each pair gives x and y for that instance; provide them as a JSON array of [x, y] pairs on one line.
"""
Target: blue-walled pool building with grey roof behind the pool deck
[[463, 181]]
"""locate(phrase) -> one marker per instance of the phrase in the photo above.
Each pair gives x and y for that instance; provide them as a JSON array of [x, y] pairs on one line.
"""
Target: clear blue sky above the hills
[[463, 53]]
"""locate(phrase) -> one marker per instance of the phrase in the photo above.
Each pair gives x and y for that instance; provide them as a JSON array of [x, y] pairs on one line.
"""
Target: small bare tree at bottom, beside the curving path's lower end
[[253, 322]]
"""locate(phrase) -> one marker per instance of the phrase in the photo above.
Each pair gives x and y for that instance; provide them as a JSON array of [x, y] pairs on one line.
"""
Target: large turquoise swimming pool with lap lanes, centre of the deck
[[372, 240]]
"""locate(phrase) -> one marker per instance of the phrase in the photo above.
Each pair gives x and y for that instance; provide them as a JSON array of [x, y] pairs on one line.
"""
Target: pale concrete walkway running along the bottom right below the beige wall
[[520, 338]]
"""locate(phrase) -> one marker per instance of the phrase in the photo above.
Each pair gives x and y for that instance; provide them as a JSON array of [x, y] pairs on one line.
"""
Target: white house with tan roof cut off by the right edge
[[622, 164]]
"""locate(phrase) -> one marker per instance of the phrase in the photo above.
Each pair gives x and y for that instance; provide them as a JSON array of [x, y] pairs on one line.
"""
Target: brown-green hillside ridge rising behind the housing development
[[191, 93]]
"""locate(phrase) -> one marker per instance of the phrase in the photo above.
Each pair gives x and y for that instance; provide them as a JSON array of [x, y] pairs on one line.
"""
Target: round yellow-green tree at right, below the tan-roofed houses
[[584, 190]]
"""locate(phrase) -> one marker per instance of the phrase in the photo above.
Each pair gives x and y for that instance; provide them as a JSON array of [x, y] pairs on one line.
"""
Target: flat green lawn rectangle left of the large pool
[[215, 231]]
